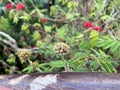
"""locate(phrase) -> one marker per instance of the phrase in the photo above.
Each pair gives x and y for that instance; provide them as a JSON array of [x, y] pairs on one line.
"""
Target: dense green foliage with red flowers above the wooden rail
[[59, 36]]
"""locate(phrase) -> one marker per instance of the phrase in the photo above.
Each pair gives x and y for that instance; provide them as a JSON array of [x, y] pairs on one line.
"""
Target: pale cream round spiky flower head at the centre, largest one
[[62, 48]]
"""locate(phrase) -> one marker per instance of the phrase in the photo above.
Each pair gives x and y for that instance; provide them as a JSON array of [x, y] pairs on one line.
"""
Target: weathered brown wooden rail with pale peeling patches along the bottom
[[61, 81]]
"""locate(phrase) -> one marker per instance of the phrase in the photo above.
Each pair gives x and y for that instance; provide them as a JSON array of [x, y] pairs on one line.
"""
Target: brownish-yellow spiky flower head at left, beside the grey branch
[[23, 54]]
